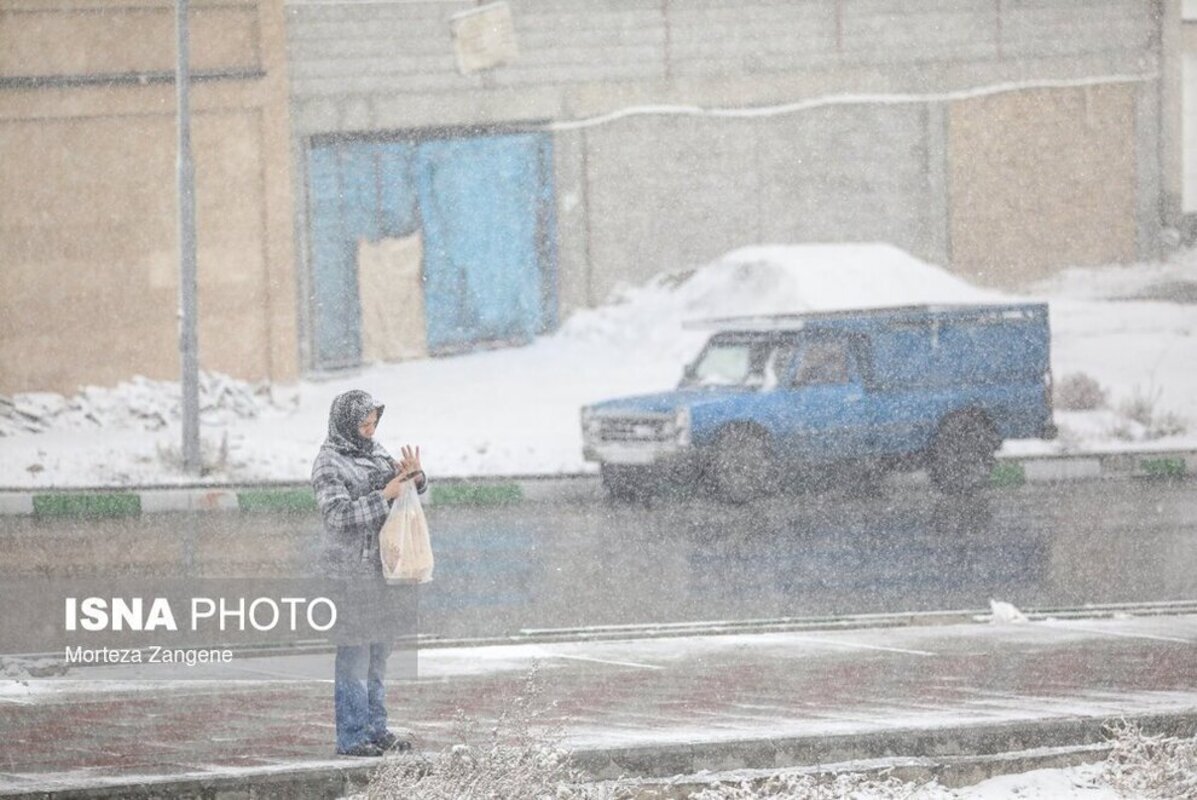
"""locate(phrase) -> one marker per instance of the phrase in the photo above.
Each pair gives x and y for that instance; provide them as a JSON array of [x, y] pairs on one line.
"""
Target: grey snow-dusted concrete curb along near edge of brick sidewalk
[[956, 756]]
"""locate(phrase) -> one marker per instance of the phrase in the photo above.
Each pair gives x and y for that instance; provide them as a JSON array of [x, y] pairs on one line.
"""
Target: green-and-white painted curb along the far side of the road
[[297, 498]]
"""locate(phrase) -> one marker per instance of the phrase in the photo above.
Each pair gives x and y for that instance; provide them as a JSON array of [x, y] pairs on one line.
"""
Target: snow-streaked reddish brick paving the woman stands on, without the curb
[[624, 695]]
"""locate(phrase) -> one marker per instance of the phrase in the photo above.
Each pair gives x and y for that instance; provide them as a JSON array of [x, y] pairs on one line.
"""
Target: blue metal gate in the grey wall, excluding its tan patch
[[485, 209]]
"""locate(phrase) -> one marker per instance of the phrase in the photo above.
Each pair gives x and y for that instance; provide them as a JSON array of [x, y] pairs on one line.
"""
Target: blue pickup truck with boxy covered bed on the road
[[935, 387]]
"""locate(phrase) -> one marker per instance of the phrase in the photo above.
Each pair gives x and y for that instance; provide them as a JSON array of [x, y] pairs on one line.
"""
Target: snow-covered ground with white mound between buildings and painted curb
[[515, 411]]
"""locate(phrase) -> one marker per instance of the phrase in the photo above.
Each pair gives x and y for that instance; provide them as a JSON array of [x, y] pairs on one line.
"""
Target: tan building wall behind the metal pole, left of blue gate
[[88, 192]]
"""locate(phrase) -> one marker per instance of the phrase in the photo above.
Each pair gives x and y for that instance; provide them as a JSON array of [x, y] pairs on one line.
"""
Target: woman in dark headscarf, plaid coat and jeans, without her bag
[[356, 482]]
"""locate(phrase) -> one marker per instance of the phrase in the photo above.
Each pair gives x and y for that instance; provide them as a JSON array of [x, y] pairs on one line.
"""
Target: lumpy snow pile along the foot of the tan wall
[[138, 404]]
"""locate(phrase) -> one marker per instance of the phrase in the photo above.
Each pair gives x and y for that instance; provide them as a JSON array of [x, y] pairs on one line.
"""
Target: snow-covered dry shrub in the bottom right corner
[[1151, 767]]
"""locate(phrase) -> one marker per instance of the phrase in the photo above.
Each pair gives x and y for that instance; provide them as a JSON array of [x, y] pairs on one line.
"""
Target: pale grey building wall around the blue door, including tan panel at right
[[646, 193]]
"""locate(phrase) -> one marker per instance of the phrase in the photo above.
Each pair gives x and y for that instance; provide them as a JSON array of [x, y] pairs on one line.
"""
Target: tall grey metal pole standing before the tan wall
[[189, 341]]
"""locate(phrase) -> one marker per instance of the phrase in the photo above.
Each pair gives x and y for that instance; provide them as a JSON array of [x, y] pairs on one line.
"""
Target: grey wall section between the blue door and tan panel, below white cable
[[698, 191]]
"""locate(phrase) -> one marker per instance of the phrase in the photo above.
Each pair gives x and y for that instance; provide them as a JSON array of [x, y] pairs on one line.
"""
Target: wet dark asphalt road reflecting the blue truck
[[552, 566]]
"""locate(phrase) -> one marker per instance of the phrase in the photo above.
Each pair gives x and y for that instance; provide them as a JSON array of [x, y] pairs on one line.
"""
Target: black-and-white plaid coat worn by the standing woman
[[349, 492]]
